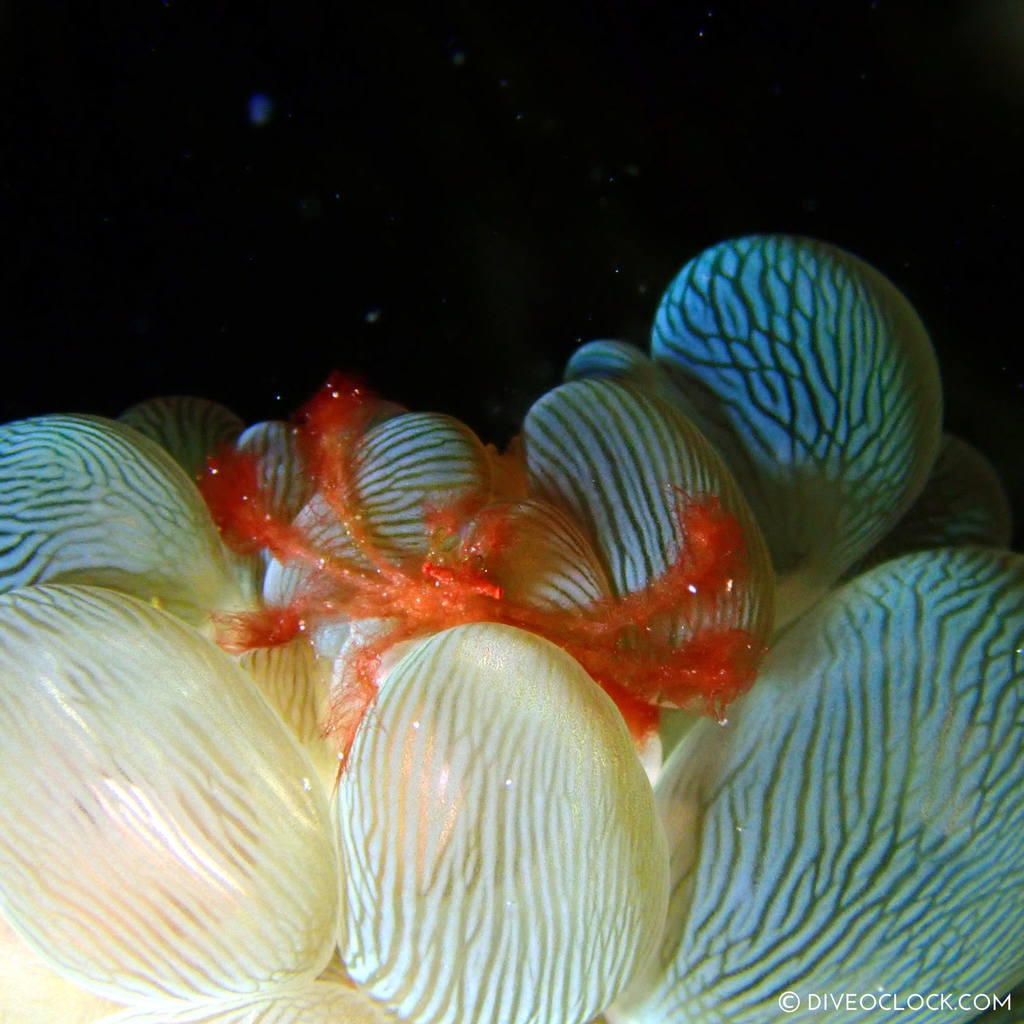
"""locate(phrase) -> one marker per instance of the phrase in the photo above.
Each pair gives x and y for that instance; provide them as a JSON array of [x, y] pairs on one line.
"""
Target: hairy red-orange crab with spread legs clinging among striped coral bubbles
[[628, 645]]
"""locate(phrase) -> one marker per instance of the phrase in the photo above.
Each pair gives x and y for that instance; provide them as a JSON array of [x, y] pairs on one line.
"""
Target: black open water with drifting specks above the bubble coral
[[449, 198]]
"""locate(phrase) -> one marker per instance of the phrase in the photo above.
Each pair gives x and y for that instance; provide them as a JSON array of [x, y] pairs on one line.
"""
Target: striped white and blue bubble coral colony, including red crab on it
[[700, 703]]
